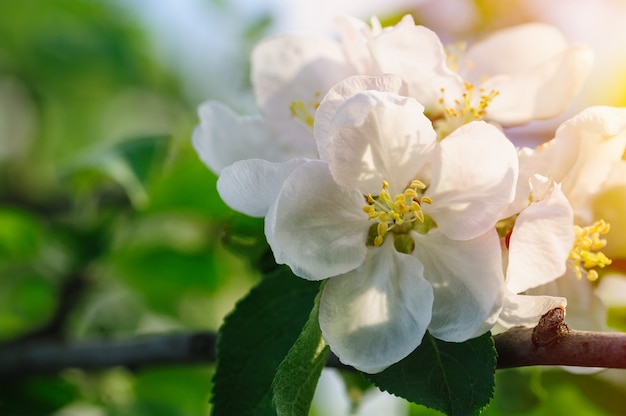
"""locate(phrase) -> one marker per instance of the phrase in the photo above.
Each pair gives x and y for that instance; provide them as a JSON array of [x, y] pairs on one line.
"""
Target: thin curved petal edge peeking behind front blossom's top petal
[[339, 94]]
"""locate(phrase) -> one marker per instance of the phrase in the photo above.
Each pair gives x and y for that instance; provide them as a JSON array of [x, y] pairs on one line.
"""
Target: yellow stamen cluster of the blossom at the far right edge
[[585, 254]]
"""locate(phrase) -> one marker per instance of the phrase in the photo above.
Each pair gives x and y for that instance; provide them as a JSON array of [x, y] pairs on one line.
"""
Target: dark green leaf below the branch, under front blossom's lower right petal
[[455, 378]]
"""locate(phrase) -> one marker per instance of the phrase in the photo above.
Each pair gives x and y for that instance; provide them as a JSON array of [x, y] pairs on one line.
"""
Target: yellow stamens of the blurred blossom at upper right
[[463, 111]]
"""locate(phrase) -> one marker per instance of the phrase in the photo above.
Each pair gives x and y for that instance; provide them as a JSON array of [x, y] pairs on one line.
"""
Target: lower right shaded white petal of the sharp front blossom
[[467, 281]]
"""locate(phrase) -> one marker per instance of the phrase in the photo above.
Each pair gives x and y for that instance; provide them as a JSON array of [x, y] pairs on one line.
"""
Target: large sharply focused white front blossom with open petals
[[419, 252]]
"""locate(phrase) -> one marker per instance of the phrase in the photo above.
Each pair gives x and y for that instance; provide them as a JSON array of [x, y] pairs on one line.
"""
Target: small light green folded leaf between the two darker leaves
[[295, 381]]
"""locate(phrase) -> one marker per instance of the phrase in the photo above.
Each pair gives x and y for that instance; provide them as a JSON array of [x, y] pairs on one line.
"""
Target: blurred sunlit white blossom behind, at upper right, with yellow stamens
[[511, 77]]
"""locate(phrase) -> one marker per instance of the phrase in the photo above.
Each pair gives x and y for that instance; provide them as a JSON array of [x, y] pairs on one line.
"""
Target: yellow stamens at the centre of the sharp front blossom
[[399, 214]]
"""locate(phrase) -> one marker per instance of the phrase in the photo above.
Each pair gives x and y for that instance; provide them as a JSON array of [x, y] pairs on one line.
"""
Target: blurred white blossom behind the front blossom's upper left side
[[290, 75]]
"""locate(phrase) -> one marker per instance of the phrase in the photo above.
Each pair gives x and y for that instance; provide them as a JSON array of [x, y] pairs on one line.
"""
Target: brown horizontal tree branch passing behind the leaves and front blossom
[[551, 342]]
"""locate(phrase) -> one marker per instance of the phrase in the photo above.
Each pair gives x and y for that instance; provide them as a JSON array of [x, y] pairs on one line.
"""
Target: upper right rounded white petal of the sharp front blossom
[[473, 181]]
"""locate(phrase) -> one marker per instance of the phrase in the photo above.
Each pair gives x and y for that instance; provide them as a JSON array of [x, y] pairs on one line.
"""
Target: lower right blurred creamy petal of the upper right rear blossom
[[541, 92]]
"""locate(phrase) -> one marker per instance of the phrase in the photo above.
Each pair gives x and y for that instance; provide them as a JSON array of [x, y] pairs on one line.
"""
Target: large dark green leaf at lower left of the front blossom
[[254, 340]]
